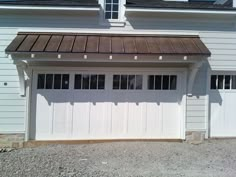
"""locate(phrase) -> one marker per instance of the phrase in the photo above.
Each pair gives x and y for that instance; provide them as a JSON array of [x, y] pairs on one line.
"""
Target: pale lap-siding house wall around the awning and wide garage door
[[217, 32]]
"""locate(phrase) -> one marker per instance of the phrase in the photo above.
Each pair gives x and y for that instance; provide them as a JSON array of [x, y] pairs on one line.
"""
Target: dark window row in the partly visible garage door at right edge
[[223, 82]]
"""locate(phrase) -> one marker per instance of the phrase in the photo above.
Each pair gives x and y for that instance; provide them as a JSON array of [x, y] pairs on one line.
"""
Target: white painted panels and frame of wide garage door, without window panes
[[108, 114]]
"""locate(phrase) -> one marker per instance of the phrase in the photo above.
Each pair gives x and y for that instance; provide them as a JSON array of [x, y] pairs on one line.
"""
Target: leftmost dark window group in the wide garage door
[[53, 81]]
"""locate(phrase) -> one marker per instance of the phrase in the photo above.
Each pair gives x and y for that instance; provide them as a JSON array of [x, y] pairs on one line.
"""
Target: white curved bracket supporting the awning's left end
[[21, 66]]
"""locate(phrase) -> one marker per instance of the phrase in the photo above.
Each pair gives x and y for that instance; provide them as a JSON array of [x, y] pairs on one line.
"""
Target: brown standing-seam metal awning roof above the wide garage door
[[69, 43]]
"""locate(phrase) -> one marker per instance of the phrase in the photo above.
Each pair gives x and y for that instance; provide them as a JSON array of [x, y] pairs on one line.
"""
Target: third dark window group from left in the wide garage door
[[127, 82]]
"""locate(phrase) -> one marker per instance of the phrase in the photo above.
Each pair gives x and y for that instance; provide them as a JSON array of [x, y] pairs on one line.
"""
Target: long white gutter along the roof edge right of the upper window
[[192, 11]]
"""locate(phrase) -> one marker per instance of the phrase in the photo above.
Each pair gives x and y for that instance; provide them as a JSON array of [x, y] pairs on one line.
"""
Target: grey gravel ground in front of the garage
[[213, 158]]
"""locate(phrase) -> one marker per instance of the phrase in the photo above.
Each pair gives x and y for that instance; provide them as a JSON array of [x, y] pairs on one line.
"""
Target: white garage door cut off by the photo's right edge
[[222, 105]]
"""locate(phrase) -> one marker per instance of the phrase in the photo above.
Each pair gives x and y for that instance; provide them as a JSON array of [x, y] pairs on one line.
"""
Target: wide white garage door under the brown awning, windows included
[[107, 105]]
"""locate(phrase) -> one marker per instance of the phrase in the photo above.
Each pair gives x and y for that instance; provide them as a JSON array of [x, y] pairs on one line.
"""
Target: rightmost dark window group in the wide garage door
[[162, 82]]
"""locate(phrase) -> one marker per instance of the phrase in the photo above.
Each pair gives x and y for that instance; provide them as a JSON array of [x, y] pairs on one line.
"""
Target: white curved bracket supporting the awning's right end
[[191, 77]]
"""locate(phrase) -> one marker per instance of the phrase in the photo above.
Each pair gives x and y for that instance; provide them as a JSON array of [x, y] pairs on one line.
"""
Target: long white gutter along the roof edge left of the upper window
[[10, 7]]
